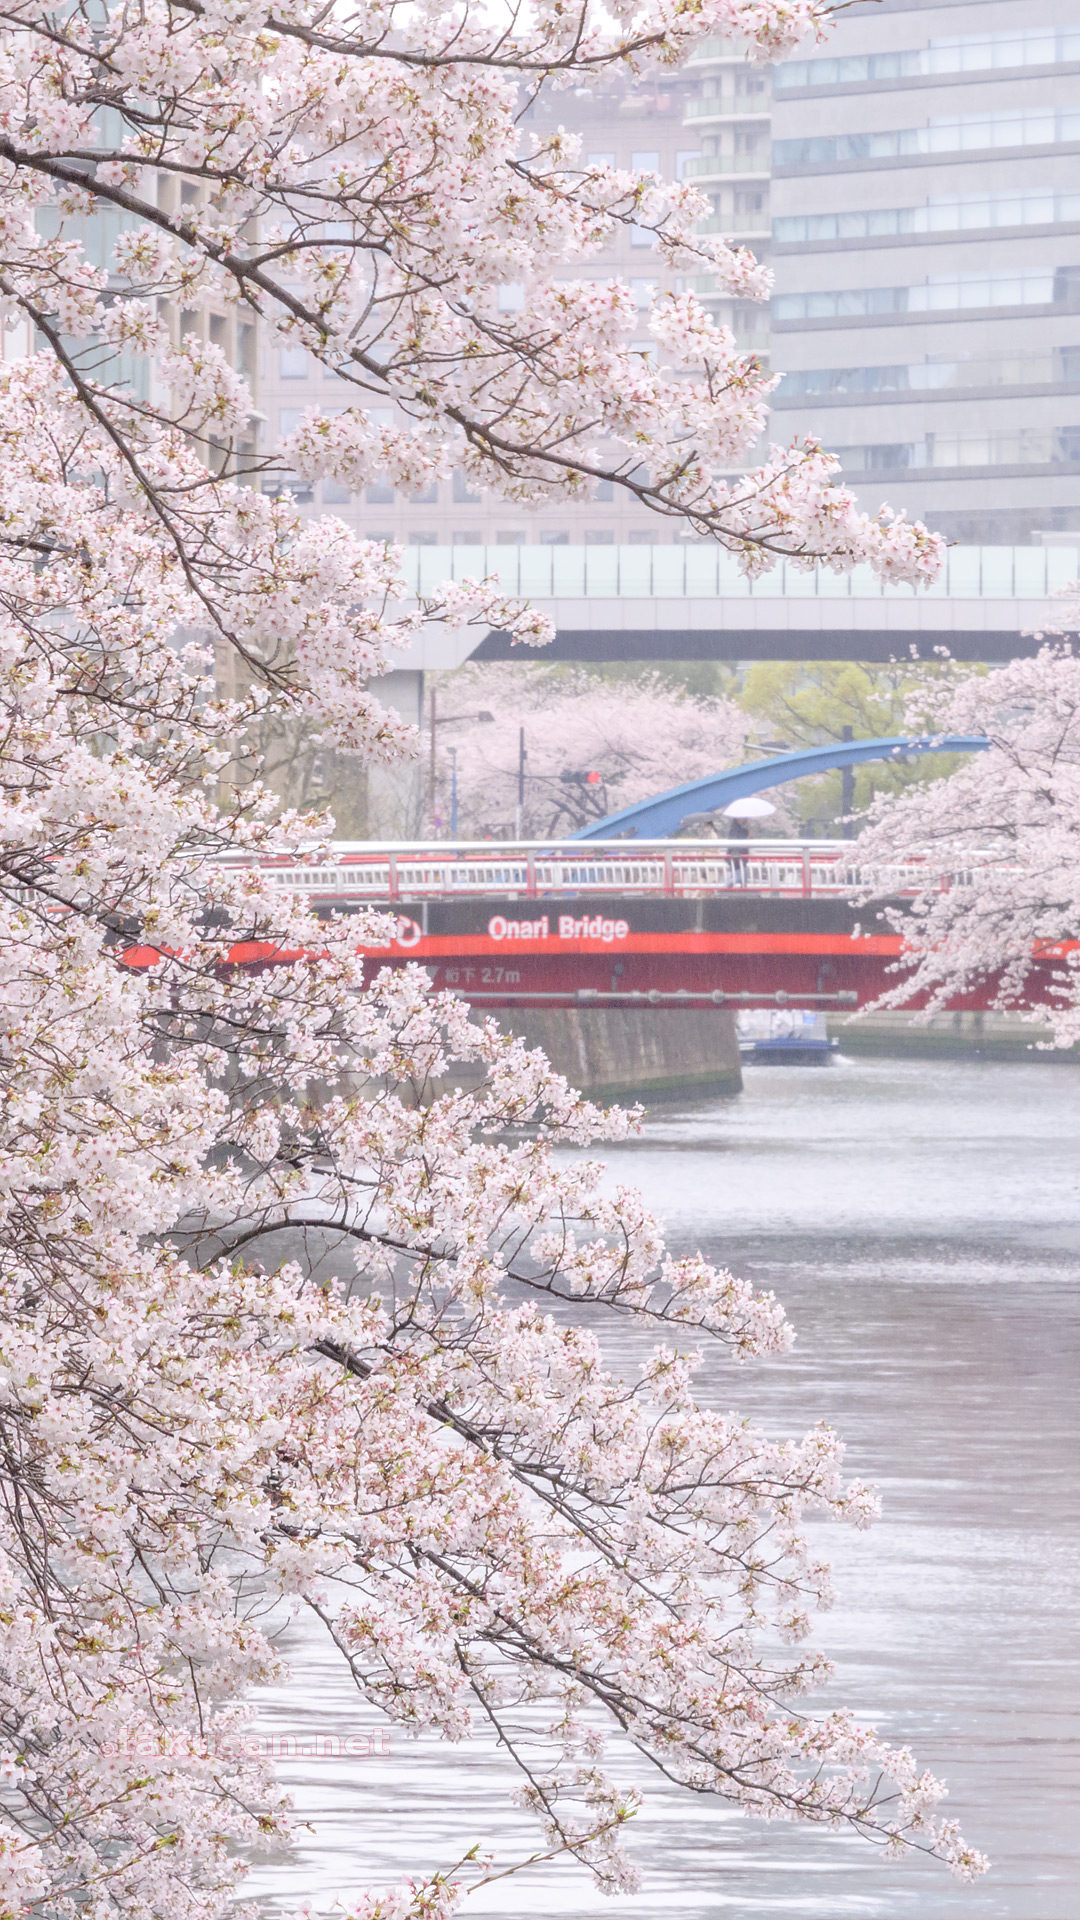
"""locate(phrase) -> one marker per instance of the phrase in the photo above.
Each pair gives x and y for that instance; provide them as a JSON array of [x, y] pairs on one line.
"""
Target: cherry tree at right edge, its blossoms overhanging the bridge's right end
[[1000, 842]]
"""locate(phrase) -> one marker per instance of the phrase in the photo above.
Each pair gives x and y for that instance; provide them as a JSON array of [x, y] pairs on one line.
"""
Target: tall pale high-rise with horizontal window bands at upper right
[[927, 256]]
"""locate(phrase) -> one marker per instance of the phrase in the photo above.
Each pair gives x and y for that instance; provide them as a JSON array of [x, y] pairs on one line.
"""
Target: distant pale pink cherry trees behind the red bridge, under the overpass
[[593, 746]]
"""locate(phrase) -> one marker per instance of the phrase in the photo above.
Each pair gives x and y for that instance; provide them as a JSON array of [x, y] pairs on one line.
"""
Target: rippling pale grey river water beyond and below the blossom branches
[[921, 1222]]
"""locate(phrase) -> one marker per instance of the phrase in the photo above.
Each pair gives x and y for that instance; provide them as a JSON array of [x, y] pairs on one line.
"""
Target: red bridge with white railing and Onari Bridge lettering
[[660, 924]]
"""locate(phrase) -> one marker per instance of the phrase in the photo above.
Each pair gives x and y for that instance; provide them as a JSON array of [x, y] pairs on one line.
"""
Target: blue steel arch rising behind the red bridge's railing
[[664, 815]]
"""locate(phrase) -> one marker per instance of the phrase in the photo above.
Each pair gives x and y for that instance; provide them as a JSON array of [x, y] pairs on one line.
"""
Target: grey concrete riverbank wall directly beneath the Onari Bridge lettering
[[627, 1053]]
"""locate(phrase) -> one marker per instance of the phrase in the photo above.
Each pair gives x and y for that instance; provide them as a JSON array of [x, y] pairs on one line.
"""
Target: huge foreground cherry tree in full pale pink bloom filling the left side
[[203, 1082]]
